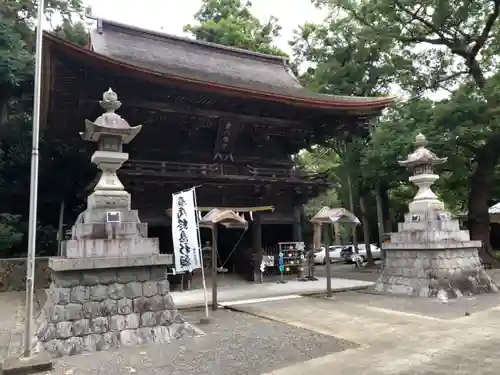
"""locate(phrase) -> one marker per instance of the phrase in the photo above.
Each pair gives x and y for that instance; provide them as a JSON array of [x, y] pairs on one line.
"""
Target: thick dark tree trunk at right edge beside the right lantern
[[478, 217]]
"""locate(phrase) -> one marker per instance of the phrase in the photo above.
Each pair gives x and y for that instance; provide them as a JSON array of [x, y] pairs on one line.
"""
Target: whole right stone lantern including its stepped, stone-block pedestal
[[430, 255]]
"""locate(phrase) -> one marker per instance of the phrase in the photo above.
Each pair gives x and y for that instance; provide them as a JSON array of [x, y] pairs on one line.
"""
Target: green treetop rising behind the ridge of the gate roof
[[231, 23]]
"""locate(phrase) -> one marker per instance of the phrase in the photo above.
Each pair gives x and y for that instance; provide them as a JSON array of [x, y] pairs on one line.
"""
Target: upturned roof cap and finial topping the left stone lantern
[[109, 123]]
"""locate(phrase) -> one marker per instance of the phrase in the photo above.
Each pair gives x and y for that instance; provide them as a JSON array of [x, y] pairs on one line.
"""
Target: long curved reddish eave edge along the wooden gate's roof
[[329, 102]]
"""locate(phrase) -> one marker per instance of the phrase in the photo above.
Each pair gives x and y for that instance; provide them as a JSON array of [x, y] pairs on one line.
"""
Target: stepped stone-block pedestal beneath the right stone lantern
[[431, 257]]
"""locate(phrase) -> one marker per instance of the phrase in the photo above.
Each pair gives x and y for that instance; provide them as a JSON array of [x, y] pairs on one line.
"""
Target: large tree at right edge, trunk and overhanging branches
[[450, 42]]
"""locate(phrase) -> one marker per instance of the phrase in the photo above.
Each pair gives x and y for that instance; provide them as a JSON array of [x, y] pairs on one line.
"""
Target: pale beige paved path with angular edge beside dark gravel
[[397, 339]]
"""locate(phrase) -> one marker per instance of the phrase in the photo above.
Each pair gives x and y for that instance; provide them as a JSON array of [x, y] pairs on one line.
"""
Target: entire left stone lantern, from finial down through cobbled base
[[109, 288]]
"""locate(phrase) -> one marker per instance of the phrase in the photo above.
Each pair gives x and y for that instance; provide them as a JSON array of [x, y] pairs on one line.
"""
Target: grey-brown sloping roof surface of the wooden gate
[[208, 62]]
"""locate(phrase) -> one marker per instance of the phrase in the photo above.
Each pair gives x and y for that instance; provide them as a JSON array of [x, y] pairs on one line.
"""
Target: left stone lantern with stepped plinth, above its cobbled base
[[114, 228]]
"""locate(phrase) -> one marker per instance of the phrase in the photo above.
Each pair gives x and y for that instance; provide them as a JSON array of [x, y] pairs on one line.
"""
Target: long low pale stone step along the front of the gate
[[195, 297]]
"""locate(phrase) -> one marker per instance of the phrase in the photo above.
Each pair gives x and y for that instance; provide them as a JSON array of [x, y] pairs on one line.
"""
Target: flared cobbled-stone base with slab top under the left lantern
[[101, 303]]
